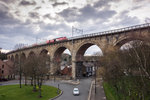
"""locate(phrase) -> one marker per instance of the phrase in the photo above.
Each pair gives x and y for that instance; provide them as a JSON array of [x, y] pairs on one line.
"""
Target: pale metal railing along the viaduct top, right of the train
[[111, 31]]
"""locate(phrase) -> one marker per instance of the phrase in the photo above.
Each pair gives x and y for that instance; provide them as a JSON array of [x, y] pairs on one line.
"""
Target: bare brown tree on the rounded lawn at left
[[36, 68]]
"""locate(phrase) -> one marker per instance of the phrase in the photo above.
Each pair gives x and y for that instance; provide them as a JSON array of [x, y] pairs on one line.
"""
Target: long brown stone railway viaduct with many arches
[[78, 45]]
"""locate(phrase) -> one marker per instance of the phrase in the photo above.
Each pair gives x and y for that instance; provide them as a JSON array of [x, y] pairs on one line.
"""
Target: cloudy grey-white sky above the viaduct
[[31, 21]]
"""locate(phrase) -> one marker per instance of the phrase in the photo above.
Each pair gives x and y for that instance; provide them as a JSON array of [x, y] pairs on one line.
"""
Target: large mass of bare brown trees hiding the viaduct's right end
[[129, 66]]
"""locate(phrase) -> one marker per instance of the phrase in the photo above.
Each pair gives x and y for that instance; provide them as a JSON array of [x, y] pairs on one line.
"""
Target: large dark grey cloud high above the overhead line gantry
[[86, 13]]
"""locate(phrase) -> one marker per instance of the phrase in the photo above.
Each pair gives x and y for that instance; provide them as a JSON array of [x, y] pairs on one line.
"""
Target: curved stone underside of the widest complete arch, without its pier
[[80, 50]]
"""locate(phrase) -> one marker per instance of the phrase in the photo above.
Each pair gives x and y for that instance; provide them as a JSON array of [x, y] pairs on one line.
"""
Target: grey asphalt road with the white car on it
[[67, 88]]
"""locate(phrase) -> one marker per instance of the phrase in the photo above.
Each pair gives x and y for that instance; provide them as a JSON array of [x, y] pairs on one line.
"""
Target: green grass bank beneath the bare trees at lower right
[[127, 85]]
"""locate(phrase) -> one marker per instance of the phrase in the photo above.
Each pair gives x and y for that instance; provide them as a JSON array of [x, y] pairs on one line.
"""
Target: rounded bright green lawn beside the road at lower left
[[13, 92]]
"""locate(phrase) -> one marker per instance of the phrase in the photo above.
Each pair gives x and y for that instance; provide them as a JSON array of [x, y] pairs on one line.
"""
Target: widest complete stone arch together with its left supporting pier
[[78, 69]]
